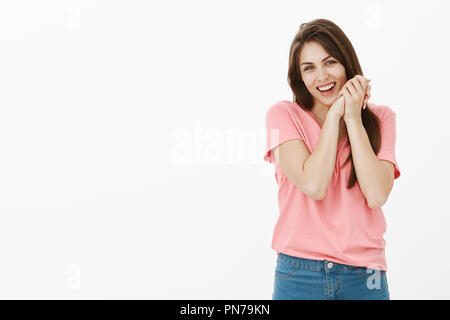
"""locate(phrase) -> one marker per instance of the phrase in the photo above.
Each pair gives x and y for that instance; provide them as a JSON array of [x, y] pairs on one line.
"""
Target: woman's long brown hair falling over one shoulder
[[336, 44]]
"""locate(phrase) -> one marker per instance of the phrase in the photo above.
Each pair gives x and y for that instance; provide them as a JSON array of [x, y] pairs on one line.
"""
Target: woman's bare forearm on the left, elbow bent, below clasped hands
[[319, 166]]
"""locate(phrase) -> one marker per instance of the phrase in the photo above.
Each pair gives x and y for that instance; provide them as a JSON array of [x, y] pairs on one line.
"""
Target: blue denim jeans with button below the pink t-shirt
[[305, 279]]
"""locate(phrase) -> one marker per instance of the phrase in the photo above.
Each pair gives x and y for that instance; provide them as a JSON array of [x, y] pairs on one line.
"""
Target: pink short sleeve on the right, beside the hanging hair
[[388, 136]]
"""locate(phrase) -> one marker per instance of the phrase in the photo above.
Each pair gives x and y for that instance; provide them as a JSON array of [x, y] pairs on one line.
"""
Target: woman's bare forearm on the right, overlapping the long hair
[[371, 175]]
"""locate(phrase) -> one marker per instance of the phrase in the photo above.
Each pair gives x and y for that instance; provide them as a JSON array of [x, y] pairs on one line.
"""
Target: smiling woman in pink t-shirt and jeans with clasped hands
[[334, 158]]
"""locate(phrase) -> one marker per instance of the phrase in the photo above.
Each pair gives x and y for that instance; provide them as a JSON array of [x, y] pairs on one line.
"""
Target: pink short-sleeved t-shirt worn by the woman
[[341, 227]]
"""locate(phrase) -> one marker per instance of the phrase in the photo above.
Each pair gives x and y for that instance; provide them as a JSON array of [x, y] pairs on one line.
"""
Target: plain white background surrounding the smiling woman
[[132, 136]]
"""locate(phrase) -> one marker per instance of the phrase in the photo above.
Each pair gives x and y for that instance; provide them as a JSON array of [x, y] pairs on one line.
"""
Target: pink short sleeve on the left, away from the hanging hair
[[280, 128]]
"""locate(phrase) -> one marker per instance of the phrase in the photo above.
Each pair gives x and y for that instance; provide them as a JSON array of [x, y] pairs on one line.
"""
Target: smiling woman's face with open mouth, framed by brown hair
[[319, 69]]
